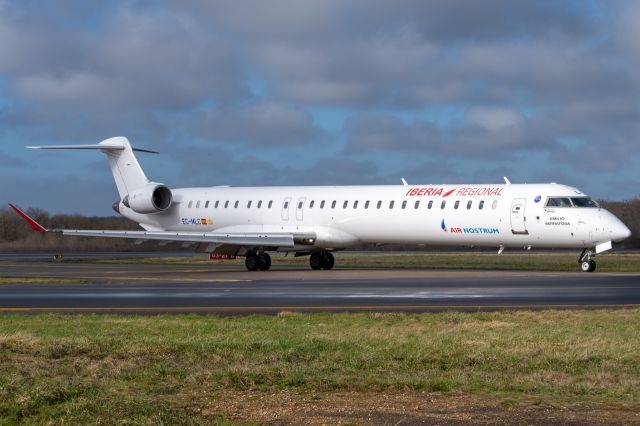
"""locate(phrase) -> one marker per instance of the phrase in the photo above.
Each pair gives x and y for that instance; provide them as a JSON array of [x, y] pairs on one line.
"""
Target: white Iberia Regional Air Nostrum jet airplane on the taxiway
[[250, 222]]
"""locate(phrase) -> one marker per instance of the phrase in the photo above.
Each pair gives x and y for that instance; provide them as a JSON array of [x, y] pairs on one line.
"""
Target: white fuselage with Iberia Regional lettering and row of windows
[[341, 216]]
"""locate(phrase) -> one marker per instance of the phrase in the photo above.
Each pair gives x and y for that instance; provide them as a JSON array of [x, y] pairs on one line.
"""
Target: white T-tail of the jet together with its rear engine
[[134, 188]]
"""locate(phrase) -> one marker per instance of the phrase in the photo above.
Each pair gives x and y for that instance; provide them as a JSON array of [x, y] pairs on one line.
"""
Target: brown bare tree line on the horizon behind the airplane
[[16, 235]]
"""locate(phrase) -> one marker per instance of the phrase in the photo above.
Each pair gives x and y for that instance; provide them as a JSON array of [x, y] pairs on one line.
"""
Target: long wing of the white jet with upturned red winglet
[[241, 239]]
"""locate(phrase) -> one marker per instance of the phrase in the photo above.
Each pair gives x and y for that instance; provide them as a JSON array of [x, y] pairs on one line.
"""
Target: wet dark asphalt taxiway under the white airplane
[[123, 288]]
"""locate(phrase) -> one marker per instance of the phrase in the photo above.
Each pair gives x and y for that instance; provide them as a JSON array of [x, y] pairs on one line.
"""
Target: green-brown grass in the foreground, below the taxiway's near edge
[[163, 369]]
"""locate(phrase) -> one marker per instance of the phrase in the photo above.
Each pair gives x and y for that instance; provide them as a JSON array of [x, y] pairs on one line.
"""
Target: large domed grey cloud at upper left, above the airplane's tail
[[142, 60]]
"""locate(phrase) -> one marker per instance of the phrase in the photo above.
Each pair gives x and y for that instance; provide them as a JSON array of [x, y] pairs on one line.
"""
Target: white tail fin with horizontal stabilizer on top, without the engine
[[125, 167]]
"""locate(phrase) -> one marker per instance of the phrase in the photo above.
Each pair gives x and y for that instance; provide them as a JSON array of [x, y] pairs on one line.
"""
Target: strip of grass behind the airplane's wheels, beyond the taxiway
[[611, 262]]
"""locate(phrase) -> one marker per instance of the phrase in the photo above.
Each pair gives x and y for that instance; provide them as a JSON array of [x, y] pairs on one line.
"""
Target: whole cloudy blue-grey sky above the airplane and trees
[[319, 92]]
